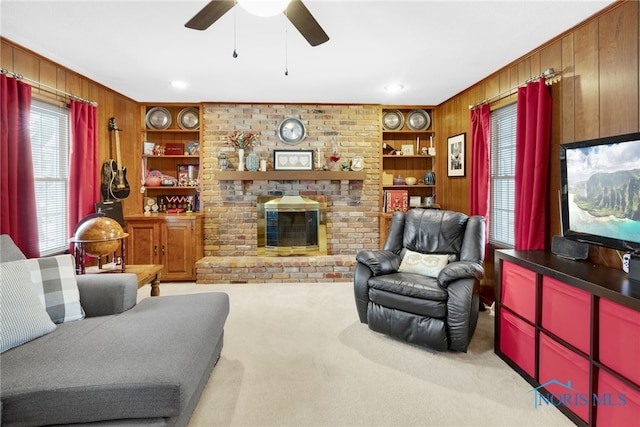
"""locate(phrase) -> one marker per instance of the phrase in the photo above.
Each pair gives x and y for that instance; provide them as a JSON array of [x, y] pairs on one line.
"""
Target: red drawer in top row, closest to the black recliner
[[519, 290]]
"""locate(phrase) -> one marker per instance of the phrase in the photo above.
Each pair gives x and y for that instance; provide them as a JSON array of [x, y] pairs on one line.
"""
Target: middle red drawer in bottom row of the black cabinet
[[558, 363]]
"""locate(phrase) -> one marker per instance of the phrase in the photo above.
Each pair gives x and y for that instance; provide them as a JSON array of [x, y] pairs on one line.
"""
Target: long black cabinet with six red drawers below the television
[[572, 330]]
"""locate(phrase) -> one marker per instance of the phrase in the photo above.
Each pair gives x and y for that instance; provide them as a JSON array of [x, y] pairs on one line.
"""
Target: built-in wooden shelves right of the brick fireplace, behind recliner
[[407, 134]]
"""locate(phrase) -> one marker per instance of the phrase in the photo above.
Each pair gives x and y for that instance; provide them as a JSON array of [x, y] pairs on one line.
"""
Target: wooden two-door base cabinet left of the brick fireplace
[[173, 241]]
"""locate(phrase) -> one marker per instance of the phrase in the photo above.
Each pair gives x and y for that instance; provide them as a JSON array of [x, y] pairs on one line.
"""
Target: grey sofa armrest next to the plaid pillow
[[107, 293]]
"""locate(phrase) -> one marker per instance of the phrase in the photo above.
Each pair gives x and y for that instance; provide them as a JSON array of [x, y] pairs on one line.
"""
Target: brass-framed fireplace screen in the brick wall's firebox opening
[[292, 226]]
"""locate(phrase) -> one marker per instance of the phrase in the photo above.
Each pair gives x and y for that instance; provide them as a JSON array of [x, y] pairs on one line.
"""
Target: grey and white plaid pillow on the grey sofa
[[54, 280]]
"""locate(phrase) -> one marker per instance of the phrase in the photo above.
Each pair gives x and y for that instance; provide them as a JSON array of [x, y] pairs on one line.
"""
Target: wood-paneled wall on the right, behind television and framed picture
[[596, 96]]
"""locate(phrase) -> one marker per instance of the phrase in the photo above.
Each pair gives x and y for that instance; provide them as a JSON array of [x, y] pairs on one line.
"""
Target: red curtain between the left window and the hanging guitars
[[84, 171]]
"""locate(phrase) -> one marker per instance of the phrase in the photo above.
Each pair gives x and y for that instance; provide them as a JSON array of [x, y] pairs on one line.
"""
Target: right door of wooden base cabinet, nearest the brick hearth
[[177, 250]]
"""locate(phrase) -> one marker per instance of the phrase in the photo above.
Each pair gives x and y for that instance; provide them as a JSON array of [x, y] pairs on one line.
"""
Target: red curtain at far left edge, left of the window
[[18, 214]]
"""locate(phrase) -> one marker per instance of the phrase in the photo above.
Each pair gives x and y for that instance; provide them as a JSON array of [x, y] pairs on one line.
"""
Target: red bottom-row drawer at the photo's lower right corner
[[618, 405]]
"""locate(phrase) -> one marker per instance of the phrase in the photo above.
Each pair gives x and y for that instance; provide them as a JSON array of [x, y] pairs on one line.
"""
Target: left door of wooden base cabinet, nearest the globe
[[143, 243]]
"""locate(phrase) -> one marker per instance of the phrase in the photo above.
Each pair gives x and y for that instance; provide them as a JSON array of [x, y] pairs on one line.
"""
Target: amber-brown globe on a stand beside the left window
[[99, 236]]
